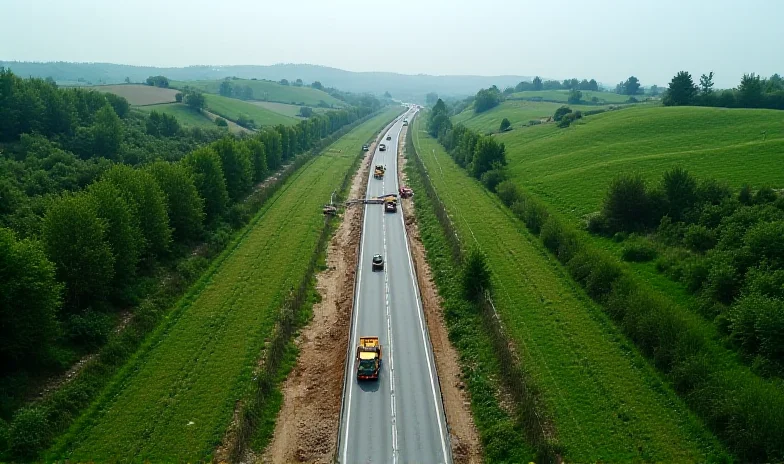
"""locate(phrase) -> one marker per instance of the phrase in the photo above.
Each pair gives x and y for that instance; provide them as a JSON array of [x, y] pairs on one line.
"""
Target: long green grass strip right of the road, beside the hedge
[[607, 403]]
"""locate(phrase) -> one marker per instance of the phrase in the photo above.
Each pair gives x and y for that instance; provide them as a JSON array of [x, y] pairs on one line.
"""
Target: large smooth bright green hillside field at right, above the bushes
[[571, 168]]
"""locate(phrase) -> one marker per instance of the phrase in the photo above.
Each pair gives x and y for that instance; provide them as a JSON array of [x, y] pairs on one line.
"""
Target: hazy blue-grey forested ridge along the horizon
[[403, 86]]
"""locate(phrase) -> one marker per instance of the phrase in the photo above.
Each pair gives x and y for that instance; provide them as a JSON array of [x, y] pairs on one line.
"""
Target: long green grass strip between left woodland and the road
[[175, 398]]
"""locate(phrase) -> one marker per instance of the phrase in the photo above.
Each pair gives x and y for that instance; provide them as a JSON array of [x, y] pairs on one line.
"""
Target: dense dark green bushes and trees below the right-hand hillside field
[[725, 246]]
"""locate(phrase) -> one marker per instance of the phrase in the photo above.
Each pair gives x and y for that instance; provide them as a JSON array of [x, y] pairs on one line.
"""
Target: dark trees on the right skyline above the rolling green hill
[[753, 91]]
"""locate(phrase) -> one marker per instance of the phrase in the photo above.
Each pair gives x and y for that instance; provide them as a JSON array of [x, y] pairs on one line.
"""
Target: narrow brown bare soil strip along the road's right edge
[[466, 446]]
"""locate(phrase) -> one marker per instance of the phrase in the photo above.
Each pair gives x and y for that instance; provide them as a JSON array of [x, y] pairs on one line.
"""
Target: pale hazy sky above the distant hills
[[603, 39]]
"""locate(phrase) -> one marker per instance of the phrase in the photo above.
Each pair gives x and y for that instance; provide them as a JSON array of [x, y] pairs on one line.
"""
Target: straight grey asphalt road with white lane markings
[[400, 417]]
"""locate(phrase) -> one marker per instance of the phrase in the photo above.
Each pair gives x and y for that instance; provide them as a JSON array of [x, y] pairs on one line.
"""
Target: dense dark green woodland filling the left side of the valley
[[85, 231]]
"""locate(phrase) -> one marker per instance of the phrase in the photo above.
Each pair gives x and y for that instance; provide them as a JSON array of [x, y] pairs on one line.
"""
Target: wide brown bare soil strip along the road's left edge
[[307, 426]]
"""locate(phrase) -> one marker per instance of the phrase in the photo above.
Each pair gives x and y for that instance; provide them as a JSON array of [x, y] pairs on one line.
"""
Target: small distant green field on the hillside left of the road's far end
[[268, 91]]
